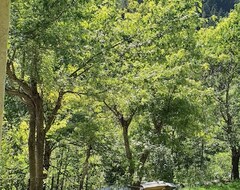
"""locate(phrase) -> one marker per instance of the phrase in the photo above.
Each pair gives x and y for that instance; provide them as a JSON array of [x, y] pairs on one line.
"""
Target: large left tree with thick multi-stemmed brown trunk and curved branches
[[31, 58]]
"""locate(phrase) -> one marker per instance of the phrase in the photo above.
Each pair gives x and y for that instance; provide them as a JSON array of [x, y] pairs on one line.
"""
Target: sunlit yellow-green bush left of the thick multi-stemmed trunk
[[13, 167]]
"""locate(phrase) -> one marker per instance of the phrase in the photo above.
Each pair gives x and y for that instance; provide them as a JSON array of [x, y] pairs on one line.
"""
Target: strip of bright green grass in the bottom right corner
[[229, 186]]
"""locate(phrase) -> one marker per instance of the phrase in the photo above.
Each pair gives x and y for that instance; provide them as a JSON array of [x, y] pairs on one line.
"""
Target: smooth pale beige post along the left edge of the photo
[[4, 28]]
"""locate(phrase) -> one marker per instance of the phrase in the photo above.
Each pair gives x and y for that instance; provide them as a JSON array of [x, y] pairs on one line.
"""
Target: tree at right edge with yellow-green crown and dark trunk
[[221, 61]]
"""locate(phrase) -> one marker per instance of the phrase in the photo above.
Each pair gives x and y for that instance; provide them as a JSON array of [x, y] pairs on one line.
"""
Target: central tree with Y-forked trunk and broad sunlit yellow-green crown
[[152, 56]]
